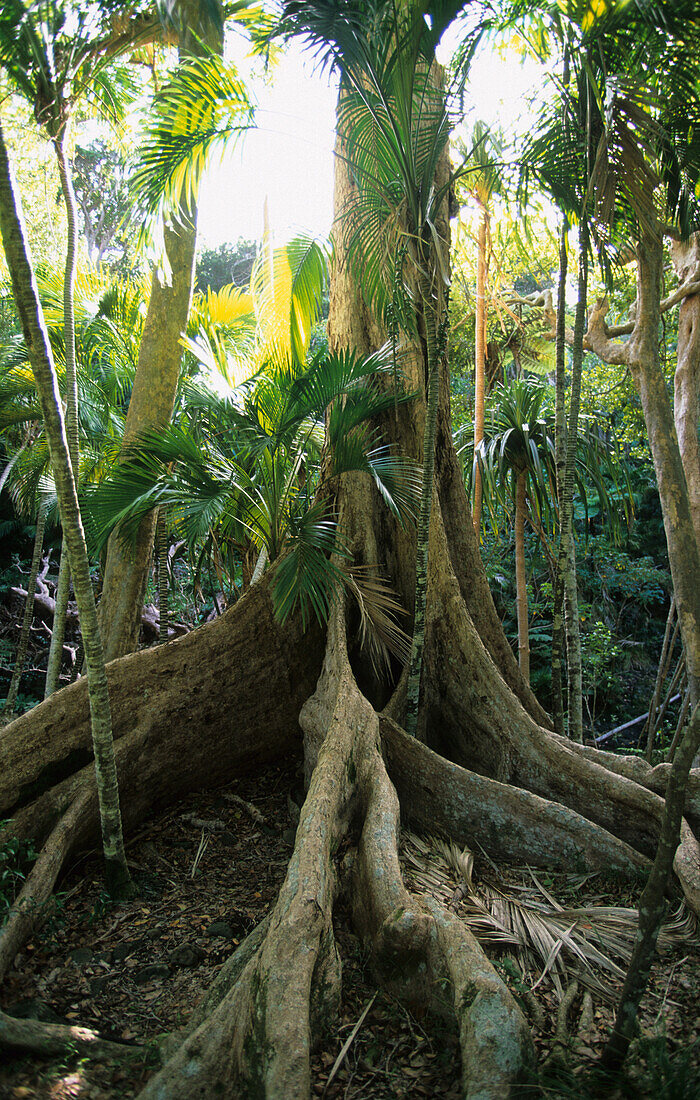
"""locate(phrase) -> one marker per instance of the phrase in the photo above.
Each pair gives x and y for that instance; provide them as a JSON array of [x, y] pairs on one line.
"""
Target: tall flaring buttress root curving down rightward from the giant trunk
[[476, 721]]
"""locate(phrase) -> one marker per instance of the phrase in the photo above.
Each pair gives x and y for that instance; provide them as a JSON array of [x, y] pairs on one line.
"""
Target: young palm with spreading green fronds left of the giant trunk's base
[[261, 478]]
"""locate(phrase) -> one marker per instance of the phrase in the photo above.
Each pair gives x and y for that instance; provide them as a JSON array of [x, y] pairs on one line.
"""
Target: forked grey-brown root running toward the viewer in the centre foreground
[[280, 992]]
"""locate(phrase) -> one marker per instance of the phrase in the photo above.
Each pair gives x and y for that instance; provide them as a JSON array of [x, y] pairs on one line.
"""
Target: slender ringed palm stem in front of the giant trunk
[[418, 644]]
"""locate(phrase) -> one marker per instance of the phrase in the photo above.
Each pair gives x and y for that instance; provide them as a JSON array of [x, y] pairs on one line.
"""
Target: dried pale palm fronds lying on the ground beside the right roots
[[592, 943]]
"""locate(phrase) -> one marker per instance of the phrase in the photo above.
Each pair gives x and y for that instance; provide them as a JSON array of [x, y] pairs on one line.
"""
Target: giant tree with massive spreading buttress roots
[[494, 772]]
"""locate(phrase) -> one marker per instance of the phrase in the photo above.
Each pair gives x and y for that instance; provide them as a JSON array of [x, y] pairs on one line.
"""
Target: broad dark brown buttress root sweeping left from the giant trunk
[[195, 700]]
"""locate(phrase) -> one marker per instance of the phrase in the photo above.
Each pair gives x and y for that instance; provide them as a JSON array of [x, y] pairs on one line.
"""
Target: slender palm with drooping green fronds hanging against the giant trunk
[[395, 122]]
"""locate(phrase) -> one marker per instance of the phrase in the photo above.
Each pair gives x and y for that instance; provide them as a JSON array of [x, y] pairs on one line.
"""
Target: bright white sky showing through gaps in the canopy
[[289, 158]]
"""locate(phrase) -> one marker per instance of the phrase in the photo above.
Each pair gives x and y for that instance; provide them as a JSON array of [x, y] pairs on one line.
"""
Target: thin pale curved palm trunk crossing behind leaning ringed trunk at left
[[63, 592]]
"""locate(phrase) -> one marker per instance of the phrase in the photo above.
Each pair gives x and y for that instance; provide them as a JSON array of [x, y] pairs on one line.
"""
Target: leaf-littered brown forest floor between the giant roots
[[209, 871]]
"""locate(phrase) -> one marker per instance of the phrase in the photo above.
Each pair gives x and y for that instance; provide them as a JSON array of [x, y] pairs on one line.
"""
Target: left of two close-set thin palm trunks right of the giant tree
[[561, 461]]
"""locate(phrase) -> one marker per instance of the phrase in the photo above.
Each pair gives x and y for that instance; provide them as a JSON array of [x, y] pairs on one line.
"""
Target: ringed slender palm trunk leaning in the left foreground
[[37, 339]]
